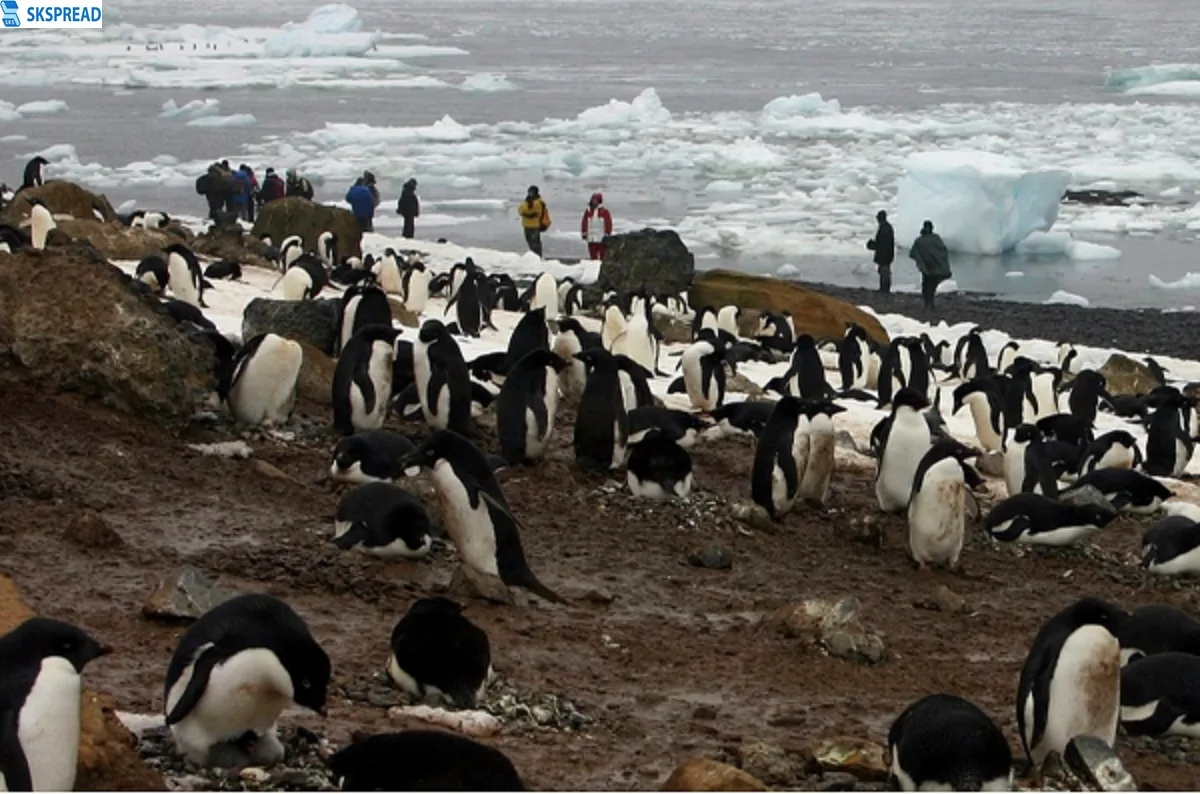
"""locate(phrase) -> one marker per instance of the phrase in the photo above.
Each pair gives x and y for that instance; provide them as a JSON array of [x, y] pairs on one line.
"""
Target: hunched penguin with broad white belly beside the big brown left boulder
[[263, 388]]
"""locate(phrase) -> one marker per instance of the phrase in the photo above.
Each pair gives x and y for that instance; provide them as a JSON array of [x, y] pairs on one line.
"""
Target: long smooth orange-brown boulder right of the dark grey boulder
[[813, 312]]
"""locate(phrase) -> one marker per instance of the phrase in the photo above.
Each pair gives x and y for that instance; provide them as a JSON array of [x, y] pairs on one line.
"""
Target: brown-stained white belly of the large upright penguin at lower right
[[1084, 693]]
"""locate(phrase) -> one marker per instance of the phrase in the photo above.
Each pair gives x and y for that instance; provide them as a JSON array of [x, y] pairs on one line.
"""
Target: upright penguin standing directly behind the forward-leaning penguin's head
[[443, 383]]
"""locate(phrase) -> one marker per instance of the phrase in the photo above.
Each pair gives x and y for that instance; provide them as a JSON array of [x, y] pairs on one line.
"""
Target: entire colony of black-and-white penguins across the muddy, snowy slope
[[1091, 667]]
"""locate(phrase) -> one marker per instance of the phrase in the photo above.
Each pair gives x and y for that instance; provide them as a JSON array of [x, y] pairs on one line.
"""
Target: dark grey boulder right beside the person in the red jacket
[[655, 261]]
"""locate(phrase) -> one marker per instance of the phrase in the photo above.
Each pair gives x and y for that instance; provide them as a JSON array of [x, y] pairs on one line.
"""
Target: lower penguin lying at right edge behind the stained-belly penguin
[[1161, 696]]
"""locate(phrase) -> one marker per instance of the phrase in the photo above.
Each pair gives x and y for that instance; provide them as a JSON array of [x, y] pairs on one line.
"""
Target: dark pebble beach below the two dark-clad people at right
[[1150, 332]]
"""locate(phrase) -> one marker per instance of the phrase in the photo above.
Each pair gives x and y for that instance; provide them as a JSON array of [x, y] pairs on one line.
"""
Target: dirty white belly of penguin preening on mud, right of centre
[[937, 516]]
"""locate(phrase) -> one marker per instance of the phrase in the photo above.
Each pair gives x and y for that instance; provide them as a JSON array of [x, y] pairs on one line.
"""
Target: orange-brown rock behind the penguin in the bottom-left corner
[[109, 759]]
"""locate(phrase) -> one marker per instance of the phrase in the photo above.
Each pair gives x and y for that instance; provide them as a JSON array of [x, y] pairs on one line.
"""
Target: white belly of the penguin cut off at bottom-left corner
[[50, 726]]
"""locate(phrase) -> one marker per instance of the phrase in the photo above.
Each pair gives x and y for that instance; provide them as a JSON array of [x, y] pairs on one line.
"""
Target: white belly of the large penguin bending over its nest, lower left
[[248, 693]]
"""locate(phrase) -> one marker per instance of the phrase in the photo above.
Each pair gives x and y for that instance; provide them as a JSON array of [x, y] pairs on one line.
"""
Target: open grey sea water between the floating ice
[[701, 57]]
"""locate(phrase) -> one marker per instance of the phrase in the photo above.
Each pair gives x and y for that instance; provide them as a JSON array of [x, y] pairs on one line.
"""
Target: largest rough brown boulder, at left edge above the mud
[[74, 324]]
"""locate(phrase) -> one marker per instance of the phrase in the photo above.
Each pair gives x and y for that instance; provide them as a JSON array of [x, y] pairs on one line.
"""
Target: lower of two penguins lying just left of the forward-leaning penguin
[[382, 521]]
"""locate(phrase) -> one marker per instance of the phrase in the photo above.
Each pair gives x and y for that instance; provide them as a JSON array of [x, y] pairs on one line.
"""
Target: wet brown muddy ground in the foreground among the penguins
[[675, 666]]
